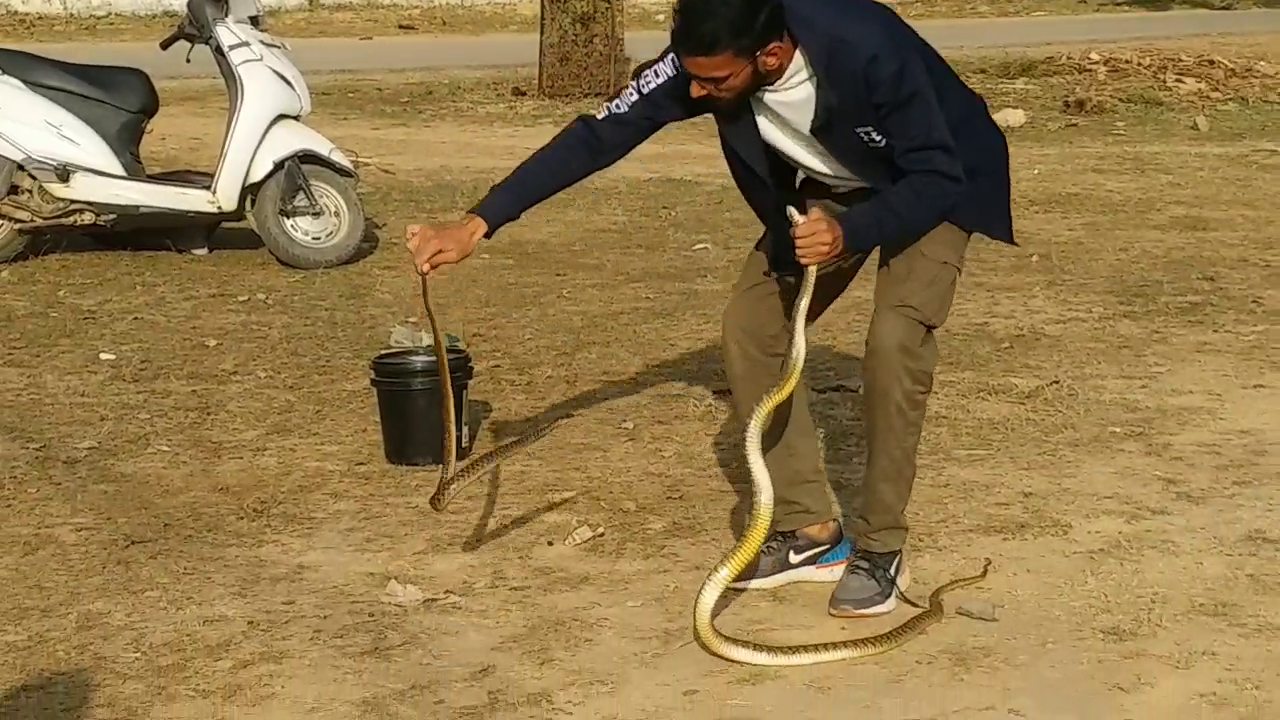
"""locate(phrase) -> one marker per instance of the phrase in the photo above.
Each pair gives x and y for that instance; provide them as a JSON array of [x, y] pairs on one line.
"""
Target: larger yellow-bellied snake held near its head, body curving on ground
[[758, 528]]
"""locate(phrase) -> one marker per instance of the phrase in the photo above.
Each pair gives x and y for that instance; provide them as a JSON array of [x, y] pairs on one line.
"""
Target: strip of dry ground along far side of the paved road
[[522, 16]]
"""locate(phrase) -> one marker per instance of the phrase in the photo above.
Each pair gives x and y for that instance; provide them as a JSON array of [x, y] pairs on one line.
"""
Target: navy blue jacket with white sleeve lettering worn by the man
[[889, 108]]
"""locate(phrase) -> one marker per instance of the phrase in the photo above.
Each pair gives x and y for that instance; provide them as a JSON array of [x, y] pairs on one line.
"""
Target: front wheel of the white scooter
[[328, 234]]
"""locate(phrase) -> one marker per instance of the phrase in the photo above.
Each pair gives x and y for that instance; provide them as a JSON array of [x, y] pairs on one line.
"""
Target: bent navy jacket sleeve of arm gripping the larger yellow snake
[[932, 176]]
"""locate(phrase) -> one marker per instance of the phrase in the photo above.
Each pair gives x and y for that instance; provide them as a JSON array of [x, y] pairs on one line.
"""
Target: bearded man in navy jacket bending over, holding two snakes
[[843, 111]]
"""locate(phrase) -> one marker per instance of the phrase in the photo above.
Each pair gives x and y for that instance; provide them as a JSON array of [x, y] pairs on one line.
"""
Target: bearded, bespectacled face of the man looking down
[[726, 83]]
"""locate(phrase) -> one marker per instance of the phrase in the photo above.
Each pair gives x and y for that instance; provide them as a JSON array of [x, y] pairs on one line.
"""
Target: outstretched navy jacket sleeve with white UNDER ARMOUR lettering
[[656, 95]]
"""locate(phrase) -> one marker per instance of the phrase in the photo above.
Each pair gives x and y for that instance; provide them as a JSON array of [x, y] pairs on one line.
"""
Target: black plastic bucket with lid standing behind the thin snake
[[409, 404]]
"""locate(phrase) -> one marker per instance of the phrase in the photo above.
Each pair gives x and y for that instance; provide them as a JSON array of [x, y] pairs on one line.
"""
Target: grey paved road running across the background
[[322, 56]]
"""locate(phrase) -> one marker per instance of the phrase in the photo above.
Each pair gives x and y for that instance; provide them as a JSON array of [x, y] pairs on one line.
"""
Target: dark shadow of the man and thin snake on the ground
[[833, 377]]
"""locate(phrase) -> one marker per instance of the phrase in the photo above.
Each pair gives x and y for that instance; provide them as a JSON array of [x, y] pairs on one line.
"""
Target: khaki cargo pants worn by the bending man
[[913, 298]]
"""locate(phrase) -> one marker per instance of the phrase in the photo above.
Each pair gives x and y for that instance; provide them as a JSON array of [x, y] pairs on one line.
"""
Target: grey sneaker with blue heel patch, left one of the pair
[[788, 558]]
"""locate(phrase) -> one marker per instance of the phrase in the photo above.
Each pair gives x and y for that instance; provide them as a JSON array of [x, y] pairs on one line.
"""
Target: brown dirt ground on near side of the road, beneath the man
[[203, 527]]
